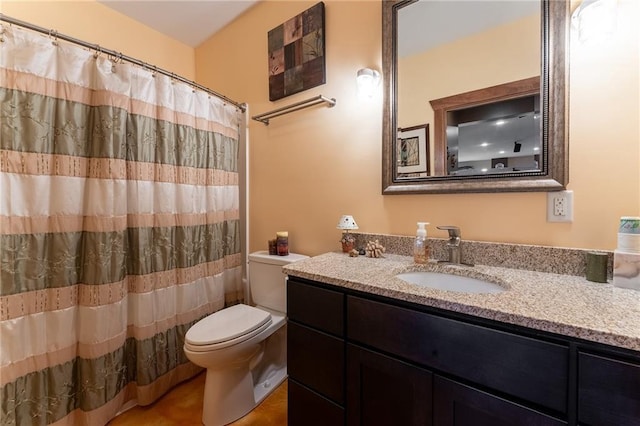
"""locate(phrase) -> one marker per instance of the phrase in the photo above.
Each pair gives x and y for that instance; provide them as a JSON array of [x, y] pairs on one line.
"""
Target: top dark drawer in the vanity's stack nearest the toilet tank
[[316, 307]]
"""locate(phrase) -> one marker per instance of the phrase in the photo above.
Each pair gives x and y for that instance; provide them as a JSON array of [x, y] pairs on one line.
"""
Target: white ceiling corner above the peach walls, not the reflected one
[[190, 22]]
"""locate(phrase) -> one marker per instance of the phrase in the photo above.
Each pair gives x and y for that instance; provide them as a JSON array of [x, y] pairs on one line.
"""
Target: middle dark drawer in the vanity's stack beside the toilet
[[316, 360]]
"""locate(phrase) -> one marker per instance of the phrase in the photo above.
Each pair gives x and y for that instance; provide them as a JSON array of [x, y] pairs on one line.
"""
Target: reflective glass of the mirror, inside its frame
[[453, 48]]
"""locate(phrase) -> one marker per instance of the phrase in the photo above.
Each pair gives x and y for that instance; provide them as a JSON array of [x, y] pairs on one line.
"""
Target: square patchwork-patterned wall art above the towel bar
[[296, 54]]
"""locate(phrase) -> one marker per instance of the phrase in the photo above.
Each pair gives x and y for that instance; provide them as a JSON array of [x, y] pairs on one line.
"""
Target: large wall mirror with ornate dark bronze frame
[[492, 95]]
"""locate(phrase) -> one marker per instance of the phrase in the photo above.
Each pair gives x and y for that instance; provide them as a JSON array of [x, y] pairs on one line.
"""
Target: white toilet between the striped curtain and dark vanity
[[243, 347]]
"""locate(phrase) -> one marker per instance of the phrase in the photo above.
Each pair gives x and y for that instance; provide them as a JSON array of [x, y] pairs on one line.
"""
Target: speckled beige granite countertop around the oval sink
[[562, 304]]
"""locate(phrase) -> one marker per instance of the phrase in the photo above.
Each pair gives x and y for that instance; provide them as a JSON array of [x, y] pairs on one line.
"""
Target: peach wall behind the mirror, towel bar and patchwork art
[[309, 167]]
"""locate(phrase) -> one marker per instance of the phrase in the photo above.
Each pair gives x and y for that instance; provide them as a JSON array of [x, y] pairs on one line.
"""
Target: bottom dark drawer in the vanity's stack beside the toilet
[[307, 408]]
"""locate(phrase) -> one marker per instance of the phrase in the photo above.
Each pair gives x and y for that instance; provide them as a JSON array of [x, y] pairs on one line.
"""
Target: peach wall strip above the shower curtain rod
[[97, 24]]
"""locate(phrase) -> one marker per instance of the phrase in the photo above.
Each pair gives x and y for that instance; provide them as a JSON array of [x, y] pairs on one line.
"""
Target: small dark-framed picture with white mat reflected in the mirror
[[412, 151]]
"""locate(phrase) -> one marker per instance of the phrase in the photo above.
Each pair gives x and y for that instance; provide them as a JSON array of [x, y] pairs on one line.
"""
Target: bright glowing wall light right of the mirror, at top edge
[[594, 19]]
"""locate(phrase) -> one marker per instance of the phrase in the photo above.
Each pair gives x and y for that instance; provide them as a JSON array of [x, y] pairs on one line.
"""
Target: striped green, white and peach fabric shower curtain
[[119, 228]]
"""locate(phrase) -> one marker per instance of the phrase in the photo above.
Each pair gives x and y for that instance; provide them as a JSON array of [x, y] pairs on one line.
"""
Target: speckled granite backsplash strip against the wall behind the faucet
[[556, 260]]
